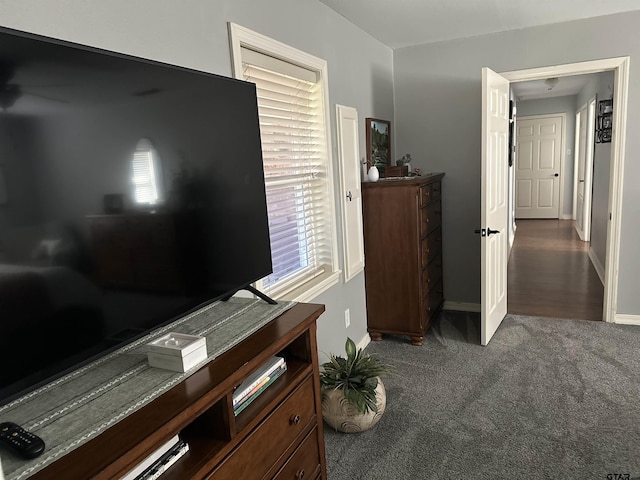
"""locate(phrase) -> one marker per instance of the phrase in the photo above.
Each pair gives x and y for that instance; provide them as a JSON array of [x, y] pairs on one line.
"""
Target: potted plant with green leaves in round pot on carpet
[[353, 395]]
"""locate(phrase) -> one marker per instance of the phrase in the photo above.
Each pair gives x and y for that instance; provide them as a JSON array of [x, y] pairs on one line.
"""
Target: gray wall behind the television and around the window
[[194, 34]]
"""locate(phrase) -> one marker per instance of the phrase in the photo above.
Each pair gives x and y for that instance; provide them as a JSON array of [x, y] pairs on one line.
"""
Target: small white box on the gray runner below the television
[[178, 352]]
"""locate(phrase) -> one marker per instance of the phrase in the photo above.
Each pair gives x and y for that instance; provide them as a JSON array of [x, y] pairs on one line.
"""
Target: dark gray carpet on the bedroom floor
[[547, 399]]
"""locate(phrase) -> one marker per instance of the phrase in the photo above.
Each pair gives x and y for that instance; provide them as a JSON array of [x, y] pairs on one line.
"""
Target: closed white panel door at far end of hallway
[[539, 142]]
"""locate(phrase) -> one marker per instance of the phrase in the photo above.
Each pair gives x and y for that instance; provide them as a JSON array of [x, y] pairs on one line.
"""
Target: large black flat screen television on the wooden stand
[[131, 193]]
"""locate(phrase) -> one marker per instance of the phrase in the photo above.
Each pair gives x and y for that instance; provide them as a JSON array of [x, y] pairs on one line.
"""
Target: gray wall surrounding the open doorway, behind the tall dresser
[[437, 120]]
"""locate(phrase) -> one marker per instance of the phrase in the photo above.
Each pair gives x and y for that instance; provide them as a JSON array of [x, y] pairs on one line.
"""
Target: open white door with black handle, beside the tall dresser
[[494, 204]]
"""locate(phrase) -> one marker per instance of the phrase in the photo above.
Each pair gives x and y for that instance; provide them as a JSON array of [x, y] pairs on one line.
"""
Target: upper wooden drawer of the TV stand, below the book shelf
[[257, 453]]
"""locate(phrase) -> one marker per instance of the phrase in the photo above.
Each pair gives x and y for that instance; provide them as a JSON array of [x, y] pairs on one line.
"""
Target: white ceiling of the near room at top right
[[403, 23]]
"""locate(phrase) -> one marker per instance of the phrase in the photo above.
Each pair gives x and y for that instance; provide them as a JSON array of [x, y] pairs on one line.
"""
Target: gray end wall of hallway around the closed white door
[[565, 105]]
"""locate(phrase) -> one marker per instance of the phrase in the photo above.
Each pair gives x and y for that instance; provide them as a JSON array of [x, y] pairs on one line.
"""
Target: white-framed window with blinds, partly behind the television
[[292, 97]]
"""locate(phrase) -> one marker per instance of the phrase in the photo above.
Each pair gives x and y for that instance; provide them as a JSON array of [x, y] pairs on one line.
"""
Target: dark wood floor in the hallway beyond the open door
[[550, 274]]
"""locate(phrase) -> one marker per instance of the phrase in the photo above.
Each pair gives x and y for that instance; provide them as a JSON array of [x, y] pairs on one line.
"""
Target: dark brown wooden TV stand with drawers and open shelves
[[278, 436]]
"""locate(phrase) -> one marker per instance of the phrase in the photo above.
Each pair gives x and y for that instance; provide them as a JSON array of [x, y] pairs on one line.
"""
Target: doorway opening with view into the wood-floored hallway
[[550, 262]]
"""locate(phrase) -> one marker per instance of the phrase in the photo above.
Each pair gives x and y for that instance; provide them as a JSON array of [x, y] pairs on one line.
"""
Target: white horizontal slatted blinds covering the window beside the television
[[295, 165]]
